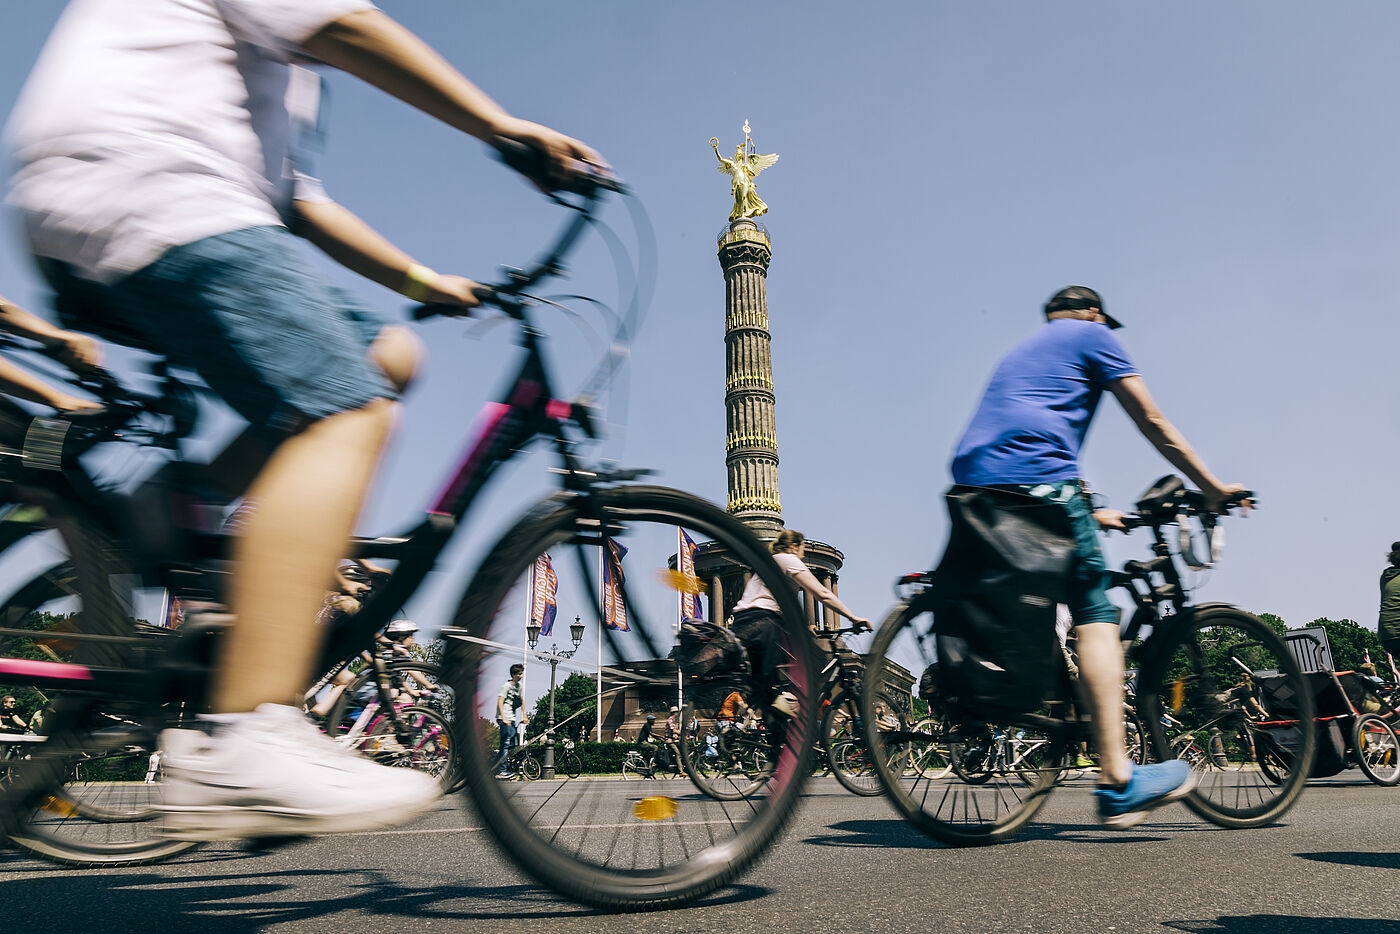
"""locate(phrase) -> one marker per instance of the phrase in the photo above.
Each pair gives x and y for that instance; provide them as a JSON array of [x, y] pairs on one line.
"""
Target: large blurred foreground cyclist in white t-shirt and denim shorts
[[163, 187]]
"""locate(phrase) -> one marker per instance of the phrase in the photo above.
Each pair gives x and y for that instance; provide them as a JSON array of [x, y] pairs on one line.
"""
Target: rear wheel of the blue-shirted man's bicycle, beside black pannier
[[953, 811]]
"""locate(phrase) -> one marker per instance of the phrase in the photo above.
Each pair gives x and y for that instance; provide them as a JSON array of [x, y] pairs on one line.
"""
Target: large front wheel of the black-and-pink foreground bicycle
[[611, 844]]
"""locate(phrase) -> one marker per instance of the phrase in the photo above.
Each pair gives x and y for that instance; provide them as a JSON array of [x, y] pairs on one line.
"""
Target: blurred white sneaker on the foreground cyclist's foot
[[274, 774]]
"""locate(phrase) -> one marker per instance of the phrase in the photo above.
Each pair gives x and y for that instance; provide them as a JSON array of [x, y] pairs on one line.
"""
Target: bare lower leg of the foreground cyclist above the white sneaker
[[310, 495]]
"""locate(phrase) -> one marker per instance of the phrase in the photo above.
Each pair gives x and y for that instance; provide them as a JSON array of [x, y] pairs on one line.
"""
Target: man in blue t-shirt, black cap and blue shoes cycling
[[1027, 436]]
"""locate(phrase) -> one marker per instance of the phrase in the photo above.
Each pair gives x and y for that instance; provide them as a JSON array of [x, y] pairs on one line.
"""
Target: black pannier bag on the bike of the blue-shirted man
[[1006, 568]]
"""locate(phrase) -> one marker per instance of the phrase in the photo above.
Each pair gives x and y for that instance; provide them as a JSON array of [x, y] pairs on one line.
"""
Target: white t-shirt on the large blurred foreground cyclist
[[156, 124]]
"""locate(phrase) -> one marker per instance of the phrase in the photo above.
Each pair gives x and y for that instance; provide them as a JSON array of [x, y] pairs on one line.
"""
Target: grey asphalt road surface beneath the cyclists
[[848, 865]]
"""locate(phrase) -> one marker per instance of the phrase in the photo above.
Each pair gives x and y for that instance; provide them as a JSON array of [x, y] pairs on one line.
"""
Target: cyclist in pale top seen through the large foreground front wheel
[[759, 627]]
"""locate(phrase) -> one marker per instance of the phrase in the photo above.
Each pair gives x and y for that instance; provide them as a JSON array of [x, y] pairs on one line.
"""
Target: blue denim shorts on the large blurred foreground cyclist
[[250, 316]]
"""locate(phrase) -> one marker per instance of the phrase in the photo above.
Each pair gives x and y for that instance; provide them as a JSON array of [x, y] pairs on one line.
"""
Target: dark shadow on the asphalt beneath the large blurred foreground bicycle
[[253, 902]]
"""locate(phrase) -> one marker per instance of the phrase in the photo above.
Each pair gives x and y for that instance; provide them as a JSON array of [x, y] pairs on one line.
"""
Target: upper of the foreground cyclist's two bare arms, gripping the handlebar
[[374, 48]]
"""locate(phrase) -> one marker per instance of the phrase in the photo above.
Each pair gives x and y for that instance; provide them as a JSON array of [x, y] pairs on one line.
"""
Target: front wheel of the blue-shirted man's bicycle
[[1188, 669]]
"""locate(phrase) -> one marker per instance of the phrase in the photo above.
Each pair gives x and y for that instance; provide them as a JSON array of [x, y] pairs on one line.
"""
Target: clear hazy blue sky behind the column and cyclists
[[1221, 173]]
